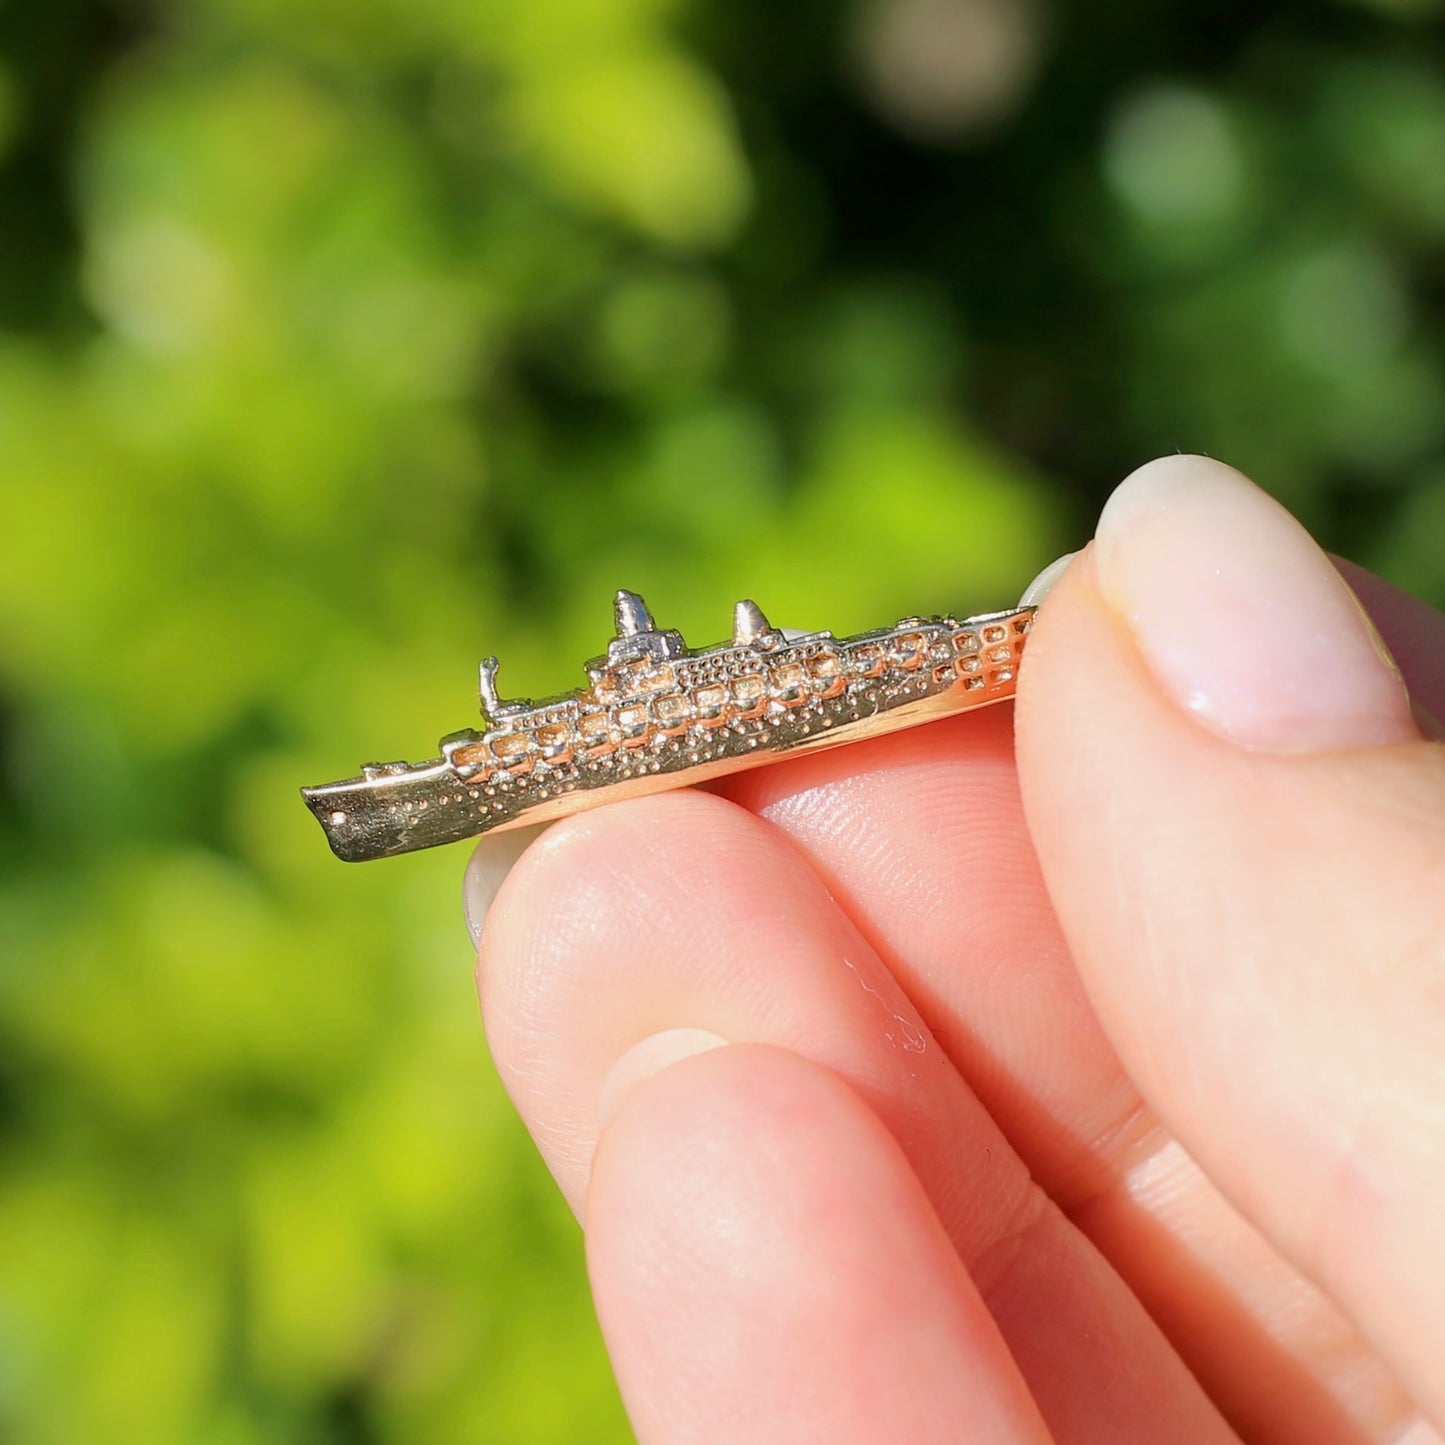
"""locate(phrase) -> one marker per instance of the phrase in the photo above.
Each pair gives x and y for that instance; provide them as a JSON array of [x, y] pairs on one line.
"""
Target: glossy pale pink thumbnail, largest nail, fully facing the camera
[[1242, 618]]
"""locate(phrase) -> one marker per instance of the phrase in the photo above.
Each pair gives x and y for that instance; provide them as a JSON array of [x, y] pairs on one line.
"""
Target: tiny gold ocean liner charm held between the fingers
[[657, 715]]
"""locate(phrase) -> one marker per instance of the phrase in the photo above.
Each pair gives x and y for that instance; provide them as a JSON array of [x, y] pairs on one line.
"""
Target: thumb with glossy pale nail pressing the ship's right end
[[1243, 834]]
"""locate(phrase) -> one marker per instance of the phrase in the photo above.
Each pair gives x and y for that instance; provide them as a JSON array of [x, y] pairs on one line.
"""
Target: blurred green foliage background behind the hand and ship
[[346, 340]]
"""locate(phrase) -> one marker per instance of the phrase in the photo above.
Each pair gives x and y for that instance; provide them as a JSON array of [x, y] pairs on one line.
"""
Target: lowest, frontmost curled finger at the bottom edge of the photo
[[767, 1267]]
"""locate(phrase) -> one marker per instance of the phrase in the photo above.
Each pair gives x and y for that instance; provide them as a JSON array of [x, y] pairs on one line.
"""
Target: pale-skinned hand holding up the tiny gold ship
[[1070, 1071]]
